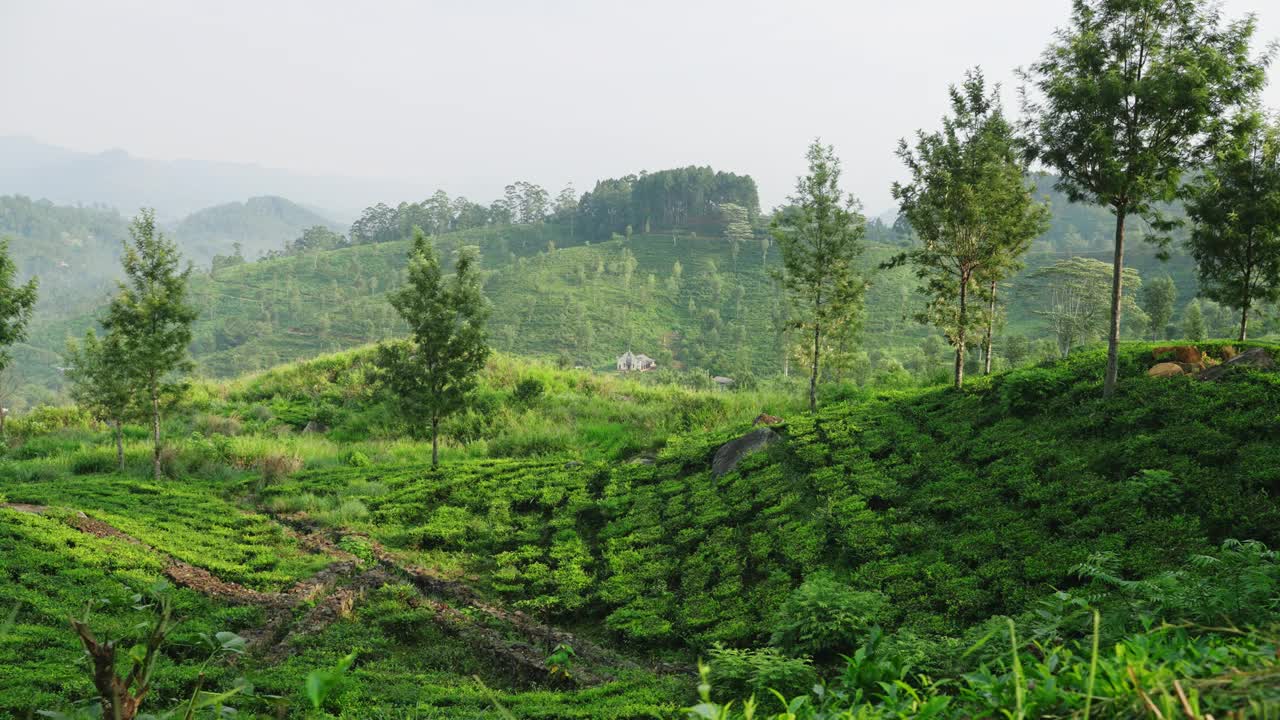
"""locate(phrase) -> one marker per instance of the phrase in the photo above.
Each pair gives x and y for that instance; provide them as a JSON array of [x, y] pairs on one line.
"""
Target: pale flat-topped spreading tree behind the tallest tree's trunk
[[1073, 298]]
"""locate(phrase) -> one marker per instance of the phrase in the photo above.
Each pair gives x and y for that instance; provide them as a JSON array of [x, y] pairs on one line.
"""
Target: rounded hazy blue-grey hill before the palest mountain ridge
[[258, 225]]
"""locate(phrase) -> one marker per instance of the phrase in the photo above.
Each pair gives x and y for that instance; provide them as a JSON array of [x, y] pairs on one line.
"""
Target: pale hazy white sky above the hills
[[469, 95]]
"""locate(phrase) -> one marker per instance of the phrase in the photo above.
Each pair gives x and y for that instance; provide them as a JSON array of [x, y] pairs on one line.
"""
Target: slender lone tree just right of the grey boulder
[[821, 241]]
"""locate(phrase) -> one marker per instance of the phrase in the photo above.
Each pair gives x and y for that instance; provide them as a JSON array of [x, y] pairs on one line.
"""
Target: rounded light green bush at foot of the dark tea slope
[[825, 618]]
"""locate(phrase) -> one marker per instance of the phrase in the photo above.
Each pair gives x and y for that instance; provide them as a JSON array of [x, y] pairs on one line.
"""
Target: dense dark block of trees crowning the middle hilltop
[[685, 198]]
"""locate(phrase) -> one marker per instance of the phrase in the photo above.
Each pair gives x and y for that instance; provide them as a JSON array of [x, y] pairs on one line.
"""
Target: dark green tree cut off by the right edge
[[1236, 212]]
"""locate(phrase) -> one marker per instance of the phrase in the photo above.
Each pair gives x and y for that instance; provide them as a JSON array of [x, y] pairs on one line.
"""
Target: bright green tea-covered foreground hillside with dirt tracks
[[931, 513]]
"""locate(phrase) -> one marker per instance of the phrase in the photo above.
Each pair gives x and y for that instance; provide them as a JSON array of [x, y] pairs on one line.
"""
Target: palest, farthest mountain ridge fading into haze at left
[[179, 188]]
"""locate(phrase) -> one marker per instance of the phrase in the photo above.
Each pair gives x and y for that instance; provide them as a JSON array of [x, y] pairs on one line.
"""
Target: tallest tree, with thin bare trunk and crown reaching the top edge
[[1131, 98]]
